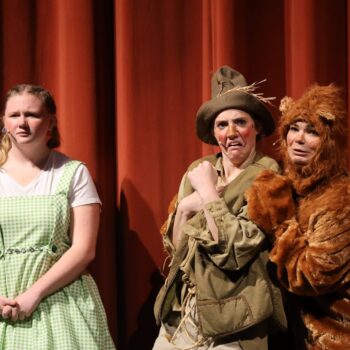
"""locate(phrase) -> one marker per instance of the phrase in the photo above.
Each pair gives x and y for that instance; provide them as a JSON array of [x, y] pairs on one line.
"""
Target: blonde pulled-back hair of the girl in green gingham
[[47, 101]]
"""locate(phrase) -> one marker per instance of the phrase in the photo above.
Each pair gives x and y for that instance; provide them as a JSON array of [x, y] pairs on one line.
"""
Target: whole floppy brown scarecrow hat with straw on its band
[[229, 89]]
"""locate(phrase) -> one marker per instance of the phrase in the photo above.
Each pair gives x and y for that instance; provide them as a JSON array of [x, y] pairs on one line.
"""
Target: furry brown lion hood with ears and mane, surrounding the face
[[323, 109]]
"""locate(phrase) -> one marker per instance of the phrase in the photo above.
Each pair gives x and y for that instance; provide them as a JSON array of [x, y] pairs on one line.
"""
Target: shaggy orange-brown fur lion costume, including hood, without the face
[[307, 211]]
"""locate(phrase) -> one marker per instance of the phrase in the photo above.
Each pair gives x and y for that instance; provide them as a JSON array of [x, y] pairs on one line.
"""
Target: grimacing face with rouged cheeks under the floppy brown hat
[[235, 132]]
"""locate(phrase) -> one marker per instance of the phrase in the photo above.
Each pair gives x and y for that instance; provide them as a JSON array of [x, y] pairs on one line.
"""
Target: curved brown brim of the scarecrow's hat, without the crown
[[235, 100]]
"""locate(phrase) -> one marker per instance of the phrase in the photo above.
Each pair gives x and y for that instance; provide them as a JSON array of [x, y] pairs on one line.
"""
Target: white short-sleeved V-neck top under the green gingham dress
[[82, 190]]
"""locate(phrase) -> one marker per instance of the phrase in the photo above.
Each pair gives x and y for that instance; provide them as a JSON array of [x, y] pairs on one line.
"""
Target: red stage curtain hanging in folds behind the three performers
[[129, 76]]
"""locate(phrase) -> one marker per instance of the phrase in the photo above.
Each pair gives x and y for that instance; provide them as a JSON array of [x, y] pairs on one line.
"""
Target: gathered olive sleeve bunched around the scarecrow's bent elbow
[[239, 238]]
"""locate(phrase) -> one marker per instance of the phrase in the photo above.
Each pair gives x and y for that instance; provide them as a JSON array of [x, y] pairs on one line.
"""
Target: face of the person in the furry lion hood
[[302, 142]]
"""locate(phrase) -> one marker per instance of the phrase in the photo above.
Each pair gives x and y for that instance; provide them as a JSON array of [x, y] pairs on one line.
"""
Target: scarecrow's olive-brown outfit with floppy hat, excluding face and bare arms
[[220, 292]]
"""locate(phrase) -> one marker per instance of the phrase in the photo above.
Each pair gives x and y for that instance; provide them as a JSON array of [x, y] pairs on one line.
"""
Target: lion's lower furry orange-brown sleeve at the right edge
[[316, 261]]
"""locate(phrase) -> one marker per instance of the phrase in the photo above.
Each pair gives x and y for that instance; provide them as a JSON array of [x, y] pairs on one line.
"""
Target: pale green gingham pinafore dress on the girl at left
[[33, 236]]
